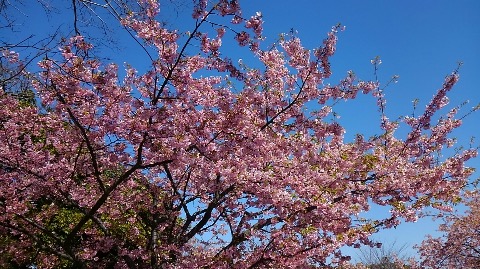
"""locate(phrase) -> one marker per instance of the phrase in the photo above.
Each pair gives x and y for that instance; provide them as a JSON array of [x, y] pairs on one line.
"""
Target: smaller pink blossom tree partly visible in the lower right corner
[[459, 247]]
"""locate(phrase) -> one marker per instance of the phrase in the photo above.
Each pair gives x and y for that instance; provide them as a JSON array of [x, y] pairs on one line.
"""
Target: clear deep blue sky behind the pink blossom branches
[[421, 41]]
